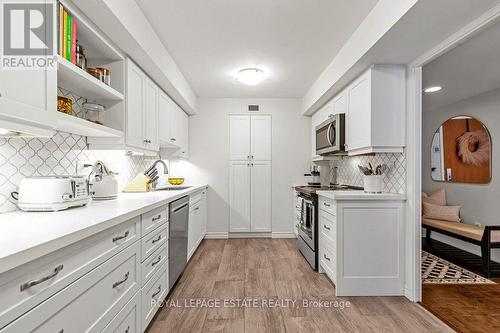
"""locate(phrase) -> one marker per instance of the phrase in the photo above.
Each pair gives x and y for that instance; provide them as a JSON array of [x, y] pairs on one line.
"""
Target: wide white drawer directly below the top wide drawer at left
[[90, 303]]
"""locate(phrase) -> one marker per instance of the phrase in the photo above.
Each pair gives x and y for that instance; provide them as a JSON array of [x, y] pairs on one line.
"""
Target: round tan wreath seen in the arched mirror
[[480, 143]]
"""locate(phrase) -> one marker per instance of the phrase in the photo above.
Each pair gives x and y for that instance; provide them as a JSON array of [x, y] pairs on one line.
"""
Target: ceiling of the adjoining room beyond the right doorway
[[469, 69]]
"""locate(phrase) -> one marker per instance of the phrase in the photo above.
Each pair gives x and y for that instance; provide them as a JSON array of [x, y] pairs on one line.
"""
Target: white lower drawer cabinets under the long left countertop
[[111, 282]]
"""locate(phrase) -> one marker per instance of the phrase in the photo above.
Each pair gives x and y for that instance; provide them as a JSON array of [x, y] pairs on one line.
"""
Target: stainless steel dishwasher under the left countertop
[[177, 244]]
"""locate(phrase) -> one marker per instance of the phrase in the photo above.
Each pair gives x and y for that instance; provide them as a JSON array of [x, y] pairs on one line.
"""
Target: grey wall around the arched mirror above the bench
[[480, 202]]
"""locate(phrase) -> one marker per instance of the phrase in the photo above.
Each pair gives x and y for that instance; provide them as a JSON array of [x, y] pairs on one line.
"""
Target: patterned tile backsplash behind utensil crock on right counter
[[347, 172]]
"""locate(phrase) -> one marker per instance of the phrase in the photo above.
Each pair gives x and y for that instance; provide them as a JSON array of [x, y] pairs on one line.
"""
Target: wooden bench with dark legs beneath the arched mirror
[[487, 237]]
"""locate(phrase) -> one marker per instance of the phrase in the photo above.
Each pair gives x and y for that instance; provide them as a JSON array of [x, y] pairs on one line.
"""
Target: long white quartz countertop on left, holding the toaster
[[25, 236]]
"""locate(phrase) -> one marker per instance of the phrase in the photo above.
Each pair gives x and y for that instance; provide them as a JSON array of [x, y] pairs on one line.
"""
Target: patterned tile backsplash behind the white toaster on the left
[[63, 154]]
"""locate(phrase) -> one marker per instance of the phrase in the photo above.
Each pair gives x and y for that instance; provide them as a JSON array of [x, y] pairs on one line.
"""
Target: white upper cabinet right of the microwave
[[376, 111]]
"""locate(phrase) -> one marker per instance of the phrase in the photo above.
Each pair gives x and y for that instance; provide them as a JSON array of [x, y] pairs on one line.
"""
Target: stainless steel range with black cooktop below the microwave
[[308, 211]]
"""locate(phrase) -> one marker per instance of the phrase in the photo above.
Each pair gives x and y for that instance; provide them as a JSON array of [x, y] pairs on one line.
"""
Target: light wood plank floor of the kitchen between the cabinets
[[274, 269]]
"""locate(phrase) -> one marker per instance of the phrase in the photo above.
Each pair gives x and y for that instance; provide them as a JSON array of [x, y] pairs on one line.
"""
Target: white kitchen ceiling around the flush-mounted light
[[293, 40]]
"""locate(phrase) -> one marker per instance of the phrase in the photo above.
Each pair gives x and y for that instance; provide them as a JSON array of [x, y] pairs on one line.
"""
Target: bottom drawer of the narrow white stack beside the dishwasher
[[152, 294]]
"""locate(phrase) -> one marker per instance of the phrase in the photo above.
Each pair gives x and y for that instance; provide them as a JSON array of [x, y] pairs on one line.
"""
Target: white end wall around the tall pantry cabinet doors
[[209, 150]]
